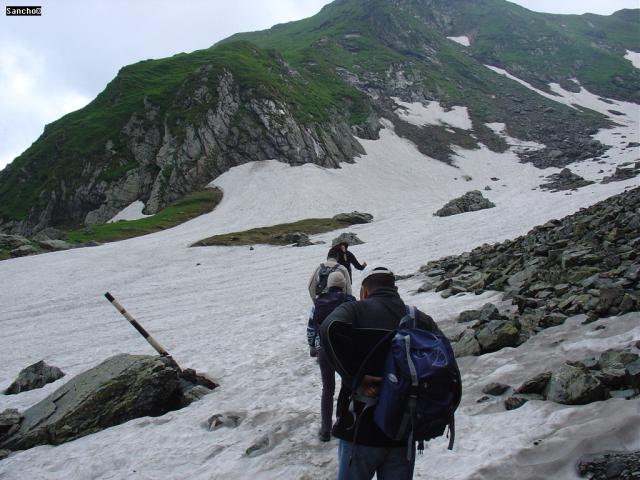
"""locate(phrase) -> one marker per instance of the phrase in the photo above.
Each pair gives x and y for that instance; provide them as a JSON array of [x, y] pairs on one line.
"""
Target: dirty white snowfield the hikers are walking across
[[239, 316]]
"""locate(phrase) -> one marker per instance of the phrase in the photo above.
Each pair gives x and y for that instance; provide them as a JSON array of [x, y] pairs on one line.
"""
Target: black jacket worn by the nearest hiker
[[348, 335]]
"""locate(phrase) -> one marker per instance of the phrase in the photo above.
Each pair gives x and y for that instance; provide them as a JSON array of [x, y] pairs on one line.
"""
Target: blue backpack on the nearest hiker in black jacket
[[421, 387]]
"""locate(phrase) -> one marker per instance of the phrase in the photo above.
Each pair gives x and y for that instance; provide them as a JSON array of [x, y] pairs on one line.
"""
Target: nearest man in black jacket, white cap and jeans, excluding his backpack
[[349, 334]]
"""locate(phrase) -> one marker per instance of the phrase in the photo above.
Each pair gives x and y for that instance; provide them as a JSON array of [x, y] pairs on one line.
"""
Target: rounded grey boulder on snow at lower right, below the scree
[[574, 385]]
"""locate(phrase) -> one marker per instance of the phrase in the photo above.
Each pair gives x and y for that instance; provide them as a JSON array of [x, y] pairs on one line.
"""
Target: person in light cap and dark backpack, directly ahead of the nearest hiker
[[322, 307]]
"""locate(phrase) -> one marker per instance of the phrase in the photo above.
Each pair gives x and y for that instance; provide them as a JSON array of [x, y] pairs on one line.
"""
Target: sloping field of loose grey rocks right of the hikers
[[586, 263]]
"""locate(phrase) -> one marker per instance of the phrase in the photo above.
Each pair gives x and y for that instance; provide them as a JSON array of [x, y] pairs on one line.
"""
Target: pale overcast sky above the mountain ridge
[[56, 63]]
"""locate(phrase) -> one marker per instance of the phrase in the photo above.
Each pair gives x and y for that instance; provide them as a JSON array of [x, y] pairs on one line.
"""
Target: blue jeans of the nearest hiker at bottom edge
[[389, 463]]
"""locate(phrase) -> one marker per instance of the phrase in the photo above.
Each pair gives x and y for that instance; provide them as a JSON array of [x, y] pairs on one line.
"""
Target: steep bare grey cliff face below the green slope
[[157, 160]]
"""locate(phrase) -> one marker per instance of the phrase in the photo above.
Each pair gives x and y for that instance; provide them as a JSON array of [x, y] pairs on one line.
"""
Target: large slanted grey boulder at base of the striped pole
[[121, 388]]
